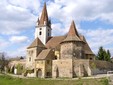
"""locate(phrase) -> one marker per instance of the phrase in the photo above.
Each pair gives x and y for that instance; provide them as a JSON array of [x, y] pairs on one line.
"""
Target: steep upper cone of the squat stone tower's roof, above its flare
[[73, 30]]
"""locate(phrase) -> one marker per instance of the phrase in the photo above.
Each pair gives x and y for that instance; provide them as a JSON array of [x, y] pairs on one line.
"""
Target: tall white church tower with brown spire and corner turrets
[[43, 26]]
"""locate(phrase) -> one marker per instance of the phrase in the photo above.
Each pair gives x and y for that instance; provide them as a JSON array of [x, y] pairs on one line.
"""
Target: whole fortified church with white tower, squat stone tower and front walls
[[59, 56]]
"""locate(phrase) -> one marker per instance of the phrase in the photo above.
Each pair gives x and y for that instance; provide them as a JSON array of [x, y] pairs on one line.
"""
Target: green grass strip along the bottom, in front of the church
[[7, 80]]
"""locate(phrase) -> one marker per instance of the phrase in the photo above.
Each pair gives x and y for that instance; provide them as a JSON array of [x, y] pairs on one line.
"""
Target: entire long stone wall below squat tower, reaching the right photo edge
[[79, 68]]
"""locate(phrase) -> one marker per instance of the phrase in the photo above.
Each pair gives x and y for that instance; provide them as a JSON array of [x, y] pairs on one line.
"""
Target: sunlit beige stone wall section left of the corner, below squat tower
[[62, 68]]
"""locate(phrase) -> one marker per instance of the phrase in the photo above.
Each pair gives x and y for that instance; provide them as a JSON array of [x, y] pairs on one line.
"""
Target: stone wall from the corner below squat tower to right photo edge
[[85, 67]]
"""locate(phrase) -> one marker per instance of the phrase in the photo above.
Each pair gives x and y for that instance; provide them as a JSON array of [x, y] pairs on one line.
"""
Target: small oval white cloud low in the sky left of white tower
[[19, 39]]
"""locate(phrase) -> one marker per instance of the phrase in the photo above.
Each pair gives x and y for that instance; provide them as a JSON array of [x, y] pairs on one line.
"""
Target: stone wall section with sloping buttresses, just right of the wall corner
[[81, 68]]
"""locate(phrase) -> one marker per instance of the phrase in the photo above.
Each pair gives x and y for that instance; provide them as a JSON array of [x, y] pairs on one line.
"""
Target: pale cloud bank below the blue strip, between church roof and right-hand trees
[[99, 37]]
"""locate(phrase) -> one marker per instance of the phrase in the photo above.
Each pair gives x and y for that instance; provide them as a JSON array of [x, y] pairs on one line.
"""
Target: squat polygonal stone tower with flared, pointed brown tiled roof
[[72, 46]]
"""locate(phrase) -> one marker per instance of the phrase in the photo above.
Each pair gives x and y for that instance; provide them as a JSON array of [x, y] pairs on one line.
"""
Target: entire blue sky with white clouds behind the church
[[93, 19]]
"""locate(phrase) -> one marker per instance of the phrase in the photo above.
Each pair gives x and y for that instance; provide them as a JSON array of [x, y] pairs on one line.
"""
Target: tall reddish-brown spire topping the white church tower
[[44, 16]]
